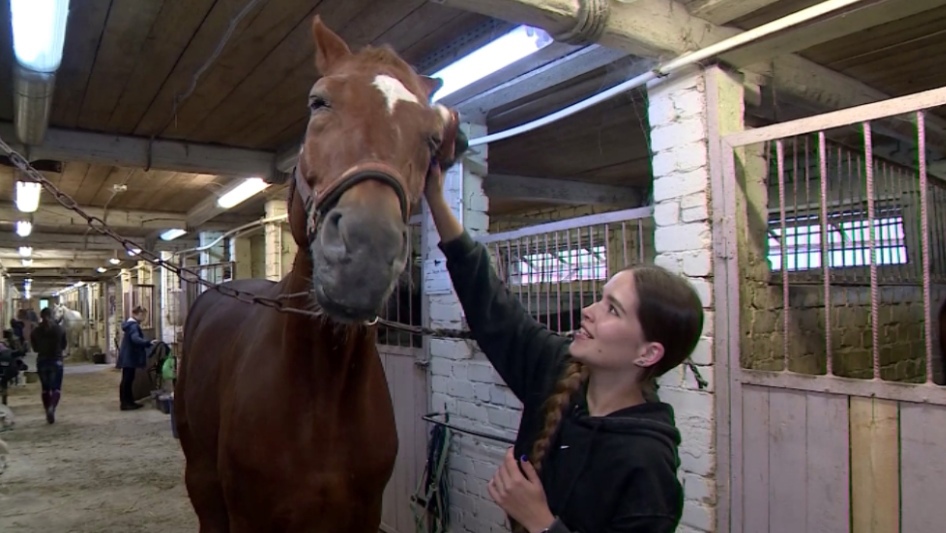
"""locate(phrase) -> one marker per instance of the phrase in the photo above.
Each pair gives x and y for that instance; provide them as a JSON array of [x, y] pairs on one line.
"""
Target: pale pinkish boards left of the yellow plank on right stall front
[[794, 462]]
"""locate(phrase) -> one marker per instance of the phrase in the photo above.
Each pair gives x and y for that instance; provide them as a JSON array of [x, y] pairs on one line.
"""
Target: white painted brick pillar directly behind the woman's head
[[678, 110]]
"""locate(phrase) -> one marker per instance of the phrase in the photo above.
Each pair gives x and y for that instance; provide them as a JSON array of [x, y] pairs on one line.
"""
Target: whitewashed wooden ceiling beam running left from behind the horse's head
[[141, 152]]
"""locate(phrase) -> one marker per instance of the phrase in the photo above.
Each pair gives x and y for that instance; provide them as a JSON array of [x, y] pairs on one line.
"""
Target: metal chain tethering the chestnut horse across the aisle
[[277, 303]]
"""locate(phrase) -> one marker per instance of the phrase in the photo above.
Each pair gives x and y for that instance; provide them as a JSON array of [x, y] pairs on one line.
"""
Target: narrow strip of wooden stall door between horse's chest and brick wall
[[407, 382]]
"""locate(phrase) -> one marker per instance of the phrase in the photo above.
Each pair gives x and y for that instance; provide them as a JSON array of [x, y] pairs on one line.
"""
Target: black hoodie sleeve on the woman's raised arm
[[522, 350]]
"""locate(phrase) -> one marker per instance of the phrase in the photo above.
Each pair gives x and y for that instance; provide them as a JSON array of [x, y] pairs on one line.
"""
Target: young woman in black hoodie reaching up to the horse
[[596, 450]]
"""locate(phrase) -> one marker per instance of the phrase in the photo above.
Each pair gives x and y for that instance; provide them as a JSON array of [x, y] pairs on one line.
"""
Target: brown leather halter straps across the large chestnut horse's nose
[[318, 202]]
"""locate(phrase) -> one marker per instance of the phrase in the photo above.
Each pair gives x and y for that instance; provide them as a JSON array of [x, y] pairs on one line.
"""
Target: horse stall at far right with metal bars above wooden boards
[[837, 268]]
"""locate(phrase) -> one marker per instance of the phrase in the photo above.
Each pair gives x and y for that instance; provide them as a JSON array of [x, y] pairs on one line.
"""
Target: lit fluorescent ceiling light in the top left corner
[[39, 32]]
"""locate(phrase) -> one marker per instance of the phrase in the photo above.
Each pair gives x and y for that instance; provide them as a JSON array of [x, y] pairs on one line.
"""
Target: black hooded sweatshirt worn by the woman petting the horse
[[610, 474]]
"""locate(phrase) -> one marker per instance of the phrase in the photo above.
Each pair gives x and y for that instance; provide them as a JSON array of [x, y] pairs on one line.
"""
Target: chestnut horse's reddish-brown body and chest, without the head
[[305, 443]]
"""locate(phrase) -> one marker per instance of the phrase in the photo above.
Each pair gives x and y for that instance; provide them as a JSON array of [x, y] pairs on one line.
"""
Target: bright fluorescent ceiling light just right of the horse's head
[[504, 51]]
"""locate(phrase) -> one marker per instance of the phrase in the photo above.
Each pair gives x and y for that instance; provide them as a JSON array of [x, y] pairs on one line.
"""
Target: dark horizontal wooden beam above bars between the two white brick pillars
[[560, 191]]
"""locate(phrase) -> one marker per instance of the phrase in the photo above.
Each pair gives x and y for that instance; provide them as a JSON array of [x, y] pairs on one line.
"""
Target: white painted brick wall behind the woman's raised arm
[[462, 382]]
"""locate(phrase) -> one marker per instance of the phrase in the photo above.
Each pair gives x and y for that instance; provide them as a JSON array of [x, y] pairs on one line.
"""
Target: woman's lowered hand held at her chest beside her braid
[[521, 496]]
